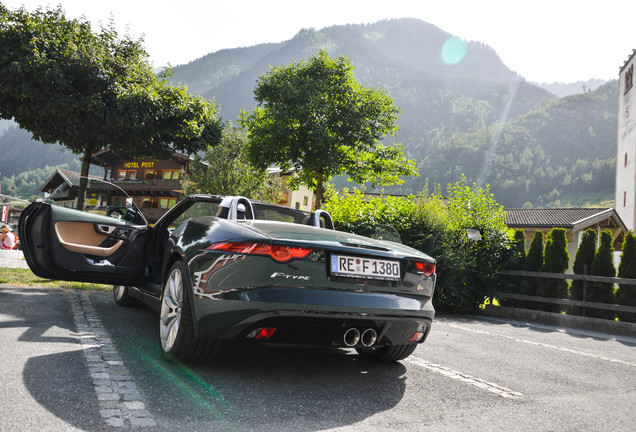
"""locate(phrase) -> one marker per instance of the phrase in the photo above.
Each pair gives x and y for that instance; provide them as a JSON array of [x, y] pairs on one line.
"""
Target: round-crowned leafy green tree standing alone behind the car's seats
[[314, 116]]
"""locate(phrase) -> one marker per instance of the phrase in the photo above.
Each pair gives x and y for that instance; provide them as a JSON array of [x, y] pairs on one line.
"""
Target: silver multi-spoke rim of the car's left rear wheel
[[171, 304]]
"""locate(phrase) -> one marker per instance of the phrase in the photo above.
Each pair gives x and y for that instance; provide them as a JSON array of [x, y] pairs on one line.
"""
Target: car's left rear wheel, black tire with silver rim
[[176, 324]]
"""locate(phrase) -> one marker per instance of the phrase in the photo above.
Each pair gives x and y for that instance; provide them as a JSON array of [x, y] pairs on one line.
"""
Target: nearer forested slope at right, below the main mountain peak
[[562, 153]]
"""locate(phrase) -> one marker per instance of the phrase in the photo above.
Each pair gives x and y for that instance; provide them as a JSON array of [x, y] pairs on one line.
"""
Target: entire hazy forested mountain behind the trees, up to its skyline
[[462, 110]]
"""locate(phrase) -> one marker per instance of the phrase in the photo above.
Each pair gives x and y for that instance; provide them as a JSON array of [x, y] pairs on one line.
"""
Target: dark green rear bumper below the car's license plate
[[313, 316]]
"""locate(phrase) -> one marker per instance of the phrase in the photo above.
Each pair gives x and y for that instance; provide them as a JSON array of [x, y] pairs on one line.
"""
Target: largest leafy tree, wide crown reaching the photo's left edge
[[63, 82]]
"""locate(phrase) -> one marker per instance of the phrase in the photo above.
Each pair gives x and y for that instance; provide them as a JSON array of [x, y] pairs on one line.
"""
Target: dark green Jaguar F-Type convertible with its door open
[[235, 269]]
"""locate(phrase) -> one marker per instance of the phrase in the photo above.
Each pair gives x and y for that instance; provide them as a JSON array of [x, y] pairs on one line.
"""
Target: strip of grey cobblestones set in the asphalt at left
[[119, 400]]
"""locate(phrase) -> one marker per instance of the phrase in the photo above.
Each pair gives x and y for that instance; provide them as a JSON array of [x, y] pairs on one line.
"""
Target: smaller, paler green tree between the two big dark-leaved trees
[[223, 169]]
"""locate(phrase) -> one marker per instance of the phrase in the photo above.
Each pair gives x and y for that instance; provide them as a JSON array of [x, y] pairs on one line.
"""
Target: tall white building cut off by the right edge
[[625, 193]]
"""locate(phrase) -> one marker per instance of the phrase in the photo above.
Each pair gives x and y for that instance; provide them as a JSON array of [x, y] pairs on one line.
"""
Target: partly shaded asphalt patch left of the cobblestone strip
[[39, 333]]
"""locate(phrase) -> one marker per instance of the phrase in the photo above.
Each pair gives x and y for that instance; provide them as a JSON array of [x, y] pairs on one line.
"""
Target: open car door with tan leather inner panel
[[67, 244]]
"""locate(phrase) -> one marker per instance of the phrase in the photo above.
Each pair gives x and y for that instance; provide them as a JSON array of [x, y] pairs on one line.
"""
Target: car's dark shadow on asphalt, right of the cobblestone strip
[[251, 386]]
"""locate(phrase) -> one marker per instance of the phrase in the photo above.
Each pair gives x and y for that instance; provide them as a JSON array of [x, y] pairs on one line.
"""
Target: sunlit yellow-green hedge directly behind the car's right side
[[466, 269]]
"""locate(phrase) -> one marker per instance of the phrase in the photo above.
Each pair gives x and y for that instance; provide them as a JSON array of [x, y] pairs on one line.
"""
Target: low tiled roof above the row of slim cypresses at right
[[574, 218]]
